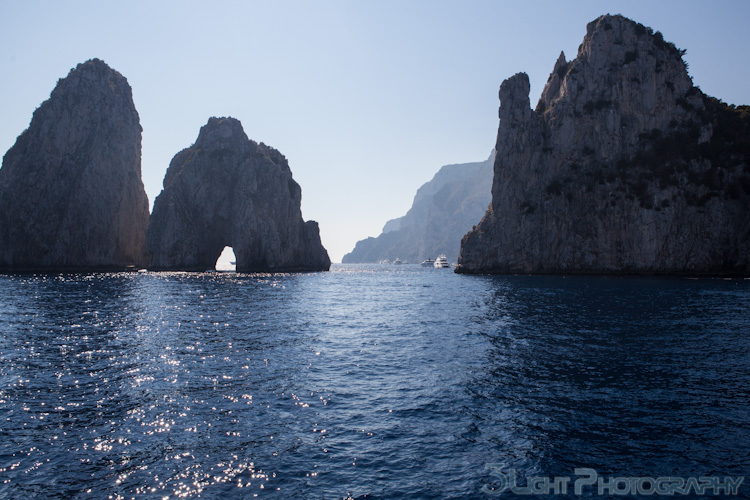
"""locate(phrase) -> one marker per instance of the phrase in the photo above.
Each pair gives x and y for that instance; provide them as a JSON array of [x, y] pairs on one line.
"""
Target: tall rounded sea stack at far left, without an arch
[[71, 195]]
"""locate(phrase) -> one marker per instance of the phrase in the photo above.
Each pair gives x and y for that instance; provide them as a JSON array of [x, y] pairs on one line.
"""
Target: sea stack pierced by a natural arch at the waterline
[[226, 190]]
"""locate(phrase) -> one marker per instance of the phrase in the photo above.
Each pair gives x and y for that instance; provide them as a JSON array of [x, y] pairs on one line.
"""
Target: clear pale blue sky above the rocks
[[367, 100]]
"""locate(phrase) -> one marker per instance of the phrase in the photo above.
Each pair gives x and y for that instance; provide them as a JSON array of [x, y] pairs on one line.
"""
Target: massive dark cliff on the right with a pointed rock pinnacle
[[624, 167]]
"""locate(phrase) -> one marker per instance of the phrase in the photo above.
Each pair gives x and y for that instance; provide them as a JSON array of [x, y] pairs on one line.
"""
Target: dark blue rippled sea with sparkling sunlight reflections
[[378, 382]]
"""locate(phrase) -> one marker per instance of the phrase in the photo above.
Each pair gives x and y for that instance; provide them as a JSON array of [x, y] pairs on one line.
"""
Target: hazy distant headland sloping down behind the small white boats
[[443, 210]]
